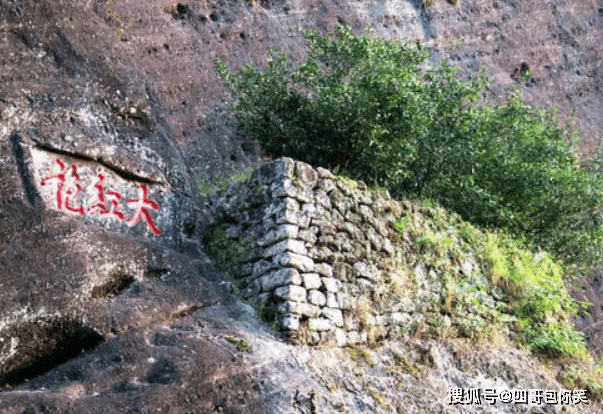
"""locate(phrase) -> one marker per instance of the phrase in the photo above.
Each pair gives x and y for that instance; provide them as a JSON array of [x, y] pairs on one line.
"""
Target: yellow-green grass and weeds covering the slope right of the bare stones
[[509, 289]]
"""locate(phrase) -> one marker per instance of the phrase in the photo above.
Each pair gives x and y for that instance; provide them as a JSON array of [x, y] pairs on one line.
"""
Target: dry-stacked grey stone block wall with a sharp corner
[[323, 252]]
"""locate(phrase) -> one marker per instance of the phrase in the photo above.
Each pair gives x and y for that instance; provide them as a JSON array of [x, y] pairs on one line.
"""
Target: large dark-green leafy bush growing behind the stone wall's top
[[374, 109]]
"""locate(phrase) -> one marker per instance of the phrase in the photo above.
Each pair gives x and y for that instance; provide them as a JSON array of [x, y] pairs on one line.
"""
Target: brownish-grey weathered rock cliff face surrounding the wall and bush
[[110, 112]]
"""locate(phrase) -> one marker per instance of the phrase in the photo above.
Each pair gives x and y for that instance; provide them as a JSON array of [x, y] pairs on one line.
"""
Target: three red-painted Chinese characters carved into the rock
[[68, 189]]
